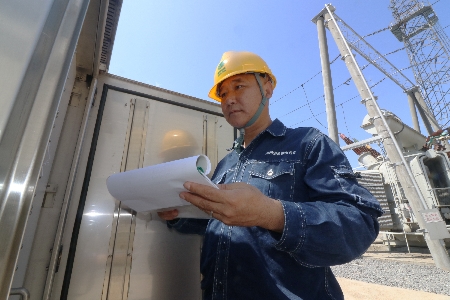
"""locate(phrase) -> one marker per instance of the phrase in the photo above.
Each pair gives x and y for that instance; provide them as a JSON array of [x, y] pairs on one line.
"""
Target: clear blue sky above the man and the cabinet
[[176, 45]]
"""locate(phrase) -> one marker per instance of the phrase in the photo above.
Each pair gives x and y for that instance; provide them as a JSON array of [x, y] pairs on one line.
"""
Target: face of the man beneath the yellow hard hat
[[241, 96]]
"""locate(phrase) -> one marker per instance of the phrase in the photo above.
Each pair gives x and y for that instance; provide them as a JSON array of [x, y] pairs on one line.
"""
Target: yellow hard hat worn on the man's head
[[233, 63]]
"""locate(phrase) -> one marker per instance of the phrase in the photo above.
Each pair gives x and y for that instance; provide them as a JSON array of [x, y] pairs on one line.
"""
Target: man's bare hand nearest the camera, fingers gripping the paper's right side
[[237, 204]]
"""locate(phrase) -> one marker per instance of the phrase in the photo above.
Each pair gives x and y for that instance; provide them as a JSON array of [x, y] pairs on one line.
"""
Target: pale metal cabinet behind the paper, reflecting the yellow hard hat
[[158, 263]]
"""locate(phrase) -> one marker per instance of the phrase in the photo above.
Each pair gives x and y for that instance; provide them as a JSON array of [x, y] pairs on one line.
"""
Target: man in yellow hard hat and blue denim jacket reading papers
[[288, 207]]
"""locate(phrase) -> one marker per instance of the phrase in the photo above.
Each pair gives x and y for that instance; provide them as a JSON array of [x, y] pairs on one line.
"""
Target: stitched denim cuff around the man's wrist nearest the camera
[[294, 232]]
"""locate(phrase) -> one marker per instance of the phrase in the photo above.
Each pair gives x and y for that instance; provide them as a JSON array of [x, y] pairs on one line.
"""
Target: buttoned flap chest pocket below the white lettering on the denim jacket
[[275, 179]]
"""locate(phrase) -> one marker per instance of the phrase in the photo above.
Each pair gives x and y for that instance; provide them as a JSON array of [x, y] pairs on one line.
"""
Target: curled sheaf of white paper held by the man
[[158, 187]]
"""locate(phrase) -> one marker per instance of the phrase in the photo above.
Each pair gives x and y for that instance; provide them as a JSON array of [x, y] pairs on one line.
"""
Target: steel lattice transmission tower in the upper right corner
[[428, 47]]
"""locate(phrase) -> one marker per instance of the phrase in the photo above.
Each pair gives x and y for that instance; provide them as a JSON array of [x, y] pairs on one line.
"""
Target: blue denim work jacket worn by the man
[[329, 220]]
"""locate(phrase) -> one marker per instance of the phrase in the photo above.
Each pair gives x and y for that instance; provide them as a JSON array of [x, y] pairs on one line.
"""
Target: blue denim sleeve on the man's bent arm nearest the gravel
[[338, 221]]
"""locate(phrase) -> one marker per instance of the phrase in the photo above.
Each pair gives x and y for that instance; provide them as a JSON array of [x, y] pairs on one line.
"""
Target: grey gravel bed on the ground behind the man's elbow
[[396, 274]]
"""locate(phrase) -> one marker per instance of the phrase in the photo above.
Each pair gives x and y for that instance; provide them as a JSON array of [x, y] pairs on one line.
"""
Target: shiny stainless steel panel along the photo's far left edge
[[33, 95]]
